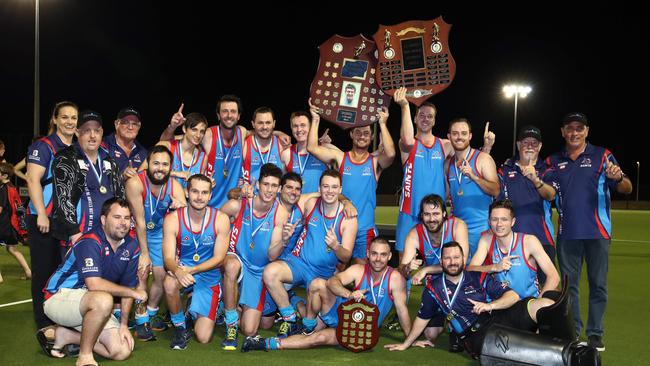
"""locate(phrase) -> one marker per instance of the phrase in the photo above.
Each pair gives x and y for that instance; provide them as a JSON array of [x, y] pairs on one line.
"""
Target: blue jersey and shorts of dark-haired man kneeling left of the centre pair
[[252, 251]]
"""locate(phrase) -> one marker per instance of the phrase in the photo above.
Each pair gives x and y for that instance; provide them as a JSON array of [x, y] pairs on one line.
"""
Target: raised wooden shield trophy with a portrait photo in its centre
[[345, 86]]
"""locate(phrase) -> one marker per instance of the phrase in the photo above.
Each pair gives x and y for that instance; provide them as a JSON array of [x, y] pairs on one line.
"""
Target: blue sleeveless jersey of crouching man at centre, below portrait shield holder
[[311, 247]]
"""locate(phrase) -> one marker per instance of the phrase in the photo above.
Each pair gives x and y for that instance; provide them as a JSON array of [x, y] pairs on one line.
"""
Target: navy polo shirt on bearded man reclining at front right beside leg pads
[[477, 286]]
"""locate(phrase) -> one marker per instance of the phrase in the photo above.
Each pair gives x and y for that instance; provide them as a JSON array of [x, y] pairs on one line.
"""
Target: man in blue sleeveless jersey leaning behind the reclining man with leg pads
[[514, 257]]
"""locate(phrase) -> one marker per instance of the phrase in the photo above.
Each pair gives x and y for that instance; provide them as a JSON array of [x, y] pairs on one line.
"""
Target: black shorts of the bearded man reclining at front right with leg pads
[[516, 317]]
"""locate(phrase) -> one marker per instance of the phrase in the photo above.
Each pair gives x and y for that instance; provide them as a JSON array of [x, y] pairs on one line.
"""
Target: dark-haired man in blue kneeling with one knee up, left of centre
[[257, 238]]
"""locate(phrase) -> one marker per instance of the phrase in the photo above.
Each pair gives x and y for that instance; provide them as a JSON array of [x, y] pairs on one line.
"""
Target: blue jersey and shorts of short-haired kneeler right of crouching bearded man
[[207, 288]]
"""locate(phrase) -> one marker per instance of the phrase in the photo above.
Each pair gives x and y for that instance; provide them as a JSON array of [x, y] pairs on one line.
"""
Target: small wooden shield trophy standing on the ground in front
[[358, 329]]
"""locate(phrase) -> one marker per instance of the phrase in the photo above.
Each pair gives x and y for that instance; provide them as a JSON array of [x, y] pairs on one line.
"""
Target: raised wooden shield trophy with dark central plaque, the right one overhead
[[415, 55]]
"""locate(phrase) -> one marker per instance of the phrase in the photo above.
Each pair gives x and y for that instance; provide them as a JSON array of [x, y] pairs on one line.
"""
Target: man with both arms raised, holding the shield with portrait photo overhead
[[360, 173]]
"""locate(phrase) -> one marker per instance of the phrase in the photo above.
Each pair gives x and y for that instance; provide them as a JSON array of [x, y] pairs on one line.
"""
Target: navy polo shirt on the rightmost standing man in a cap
[[583, 198]]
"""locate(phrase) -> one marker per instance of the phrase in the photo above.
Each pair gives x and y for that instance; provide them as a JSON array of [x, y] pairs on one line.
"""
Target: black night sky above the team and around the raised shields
[[153, 55]]
